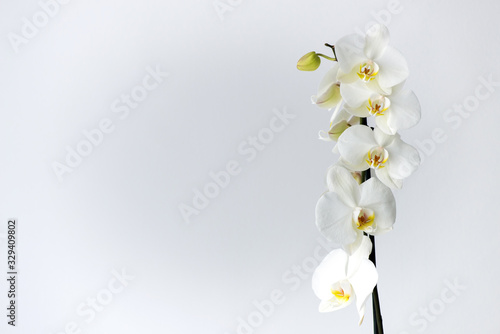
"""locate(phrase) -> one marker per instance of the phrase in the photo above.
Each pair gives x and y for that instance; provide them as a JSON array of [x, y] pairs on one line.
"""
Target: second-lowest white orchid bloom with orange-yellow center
[[348, 209]]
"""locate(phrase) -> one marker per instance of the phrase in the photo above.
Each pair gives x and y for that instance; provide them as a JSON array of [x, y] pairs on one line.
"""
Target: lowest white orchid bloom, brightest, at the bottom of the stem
[[340, 279]]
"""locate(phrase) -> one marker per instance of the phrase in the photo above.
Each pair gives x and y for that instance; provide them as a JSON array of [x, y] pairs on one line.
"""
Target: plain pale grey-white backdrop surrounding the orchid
[[119, 209]]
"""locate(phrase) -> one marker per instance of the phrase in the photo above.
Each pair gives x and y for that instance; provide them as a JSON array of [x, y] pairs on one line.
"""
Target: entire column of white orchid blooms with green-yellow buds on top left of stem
[[365, 84]]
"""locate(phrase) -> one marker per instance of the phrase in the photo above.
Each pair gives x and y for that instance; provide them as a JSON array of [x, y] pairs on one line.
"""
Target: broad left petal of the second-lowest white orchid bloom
[[334, 220]]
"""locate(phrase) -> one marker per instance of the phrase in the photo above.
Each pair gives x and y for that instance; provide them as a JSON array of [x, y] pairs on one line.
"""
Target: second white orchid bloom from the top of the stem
[[393, 112]]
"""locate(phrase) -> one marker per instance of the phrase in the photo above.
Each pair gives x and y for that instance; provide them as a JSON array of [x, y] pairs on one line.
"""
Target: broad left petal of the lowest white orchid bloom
[[331, 270]]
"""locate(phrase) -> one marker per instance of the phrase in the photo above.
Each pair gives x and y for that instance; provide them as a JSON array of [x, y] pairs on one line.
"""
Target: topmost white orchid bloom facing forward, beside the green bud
[[371, 60]]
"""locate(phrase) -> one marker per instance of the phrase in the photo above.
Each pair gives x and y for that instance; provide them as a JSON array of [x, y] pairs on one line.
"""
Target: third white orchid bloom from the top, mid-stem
[[392, 159]]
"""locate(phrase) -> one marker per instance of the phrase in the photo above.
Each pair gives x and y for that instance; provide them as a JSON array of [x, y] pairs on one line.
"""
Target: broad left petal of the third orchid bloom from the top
[[354, 145]]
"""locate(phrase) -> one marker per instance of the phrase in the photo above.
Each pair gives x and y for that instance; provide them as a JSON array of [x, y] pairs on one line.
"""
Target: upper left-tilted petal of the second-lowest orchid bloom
[[341, 181]]
